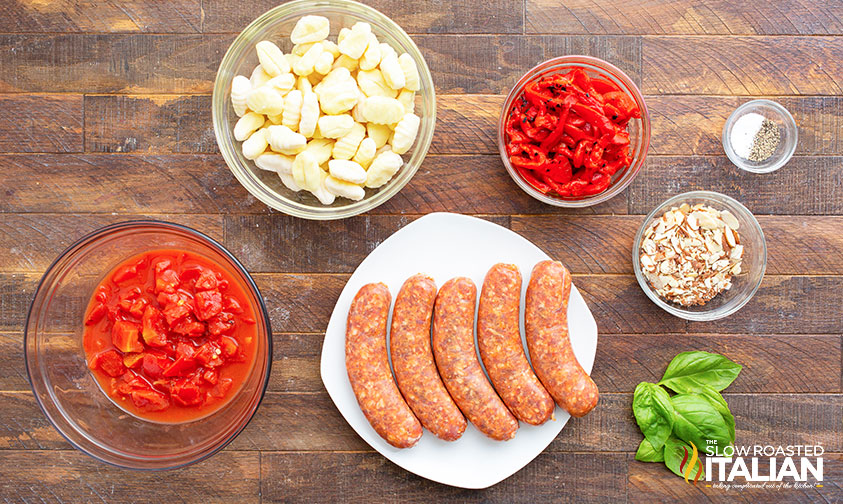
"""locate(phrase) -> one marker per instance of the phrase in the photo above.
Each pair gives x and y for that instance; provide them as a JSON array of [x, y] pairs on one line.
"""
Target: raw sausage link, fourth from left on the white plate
[[499, 339]]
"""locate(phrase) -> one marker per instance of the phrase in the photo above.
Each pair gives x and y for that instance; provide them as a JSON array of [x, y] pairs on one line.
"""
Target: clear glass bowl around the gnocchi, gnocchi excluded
[[276, 25]]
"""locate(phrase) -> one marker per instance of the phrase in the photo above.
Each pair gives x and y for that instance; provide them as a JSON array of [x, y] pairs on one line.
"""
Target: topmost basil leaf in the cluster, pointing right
[[689, 371]]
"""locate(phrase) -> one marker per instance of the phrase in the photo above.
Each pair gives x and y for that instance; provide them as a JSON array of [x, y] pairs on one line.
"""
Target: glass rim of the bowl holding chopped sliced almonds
[[700, 316]]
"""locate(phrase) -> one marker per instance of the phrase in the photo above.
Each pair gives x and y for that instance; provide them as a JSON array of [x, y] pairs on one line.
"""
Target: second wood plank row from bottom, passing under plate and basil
[[310, 422]]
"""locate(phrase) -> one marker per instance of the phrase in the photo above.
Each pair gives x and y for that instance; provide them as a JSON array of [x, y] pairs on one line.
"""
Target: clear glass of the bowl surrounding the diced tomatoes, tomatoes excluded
[[68, 393]]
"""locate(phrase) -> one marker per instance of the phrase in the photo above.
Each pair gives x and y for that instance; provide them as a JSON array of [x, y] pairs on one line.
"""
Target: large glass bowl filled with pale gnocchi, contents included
[[323, 109]]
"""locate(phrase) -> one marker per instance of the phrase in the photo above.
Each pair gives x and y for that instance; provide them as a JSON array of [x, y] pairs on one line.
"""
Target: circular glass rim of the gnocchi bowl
[[271, 198]]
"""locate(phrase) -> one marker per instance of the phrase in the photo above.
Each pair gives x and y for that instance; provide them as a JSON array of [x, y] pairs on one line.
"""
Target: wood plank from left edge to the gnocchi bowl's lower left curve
[[124, 183]]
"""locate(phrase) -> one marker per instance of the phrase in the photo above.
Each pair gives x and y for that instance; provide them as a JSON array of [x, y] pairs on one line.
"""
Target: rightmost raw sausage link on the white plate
[[550, 348]]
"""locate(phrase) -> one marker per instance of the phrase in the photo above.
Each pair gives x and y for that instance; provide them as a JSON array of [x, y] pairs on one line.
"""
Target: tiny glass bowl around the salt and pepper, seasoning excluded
[[788, 136]]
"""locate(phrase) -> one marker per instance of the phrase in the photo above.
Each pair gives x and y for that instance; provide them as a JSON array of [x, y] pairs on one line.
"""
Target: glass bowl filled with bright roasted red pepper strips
[[574, 131]]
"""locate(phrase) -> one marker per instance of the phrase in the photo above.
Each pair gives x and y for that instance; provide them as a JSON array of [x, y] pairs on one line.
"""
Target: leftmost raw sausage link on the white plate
[[368, 368]]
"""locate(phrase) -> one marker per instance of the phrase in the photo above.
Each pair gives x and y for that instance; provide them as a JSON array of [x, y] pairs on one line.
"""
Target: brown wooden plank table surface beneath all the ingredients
[[105, 116]]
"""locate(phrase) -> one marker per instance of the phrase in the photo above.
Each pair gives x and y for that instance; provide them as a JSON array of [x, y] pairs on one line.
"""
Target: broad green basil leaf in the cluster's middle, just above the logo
[[698, 422]]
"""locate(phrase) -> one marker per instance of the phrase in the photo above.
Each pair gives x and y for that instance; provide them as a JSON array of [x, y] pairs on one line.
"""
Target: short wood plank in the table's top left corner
[[65, 16]]
